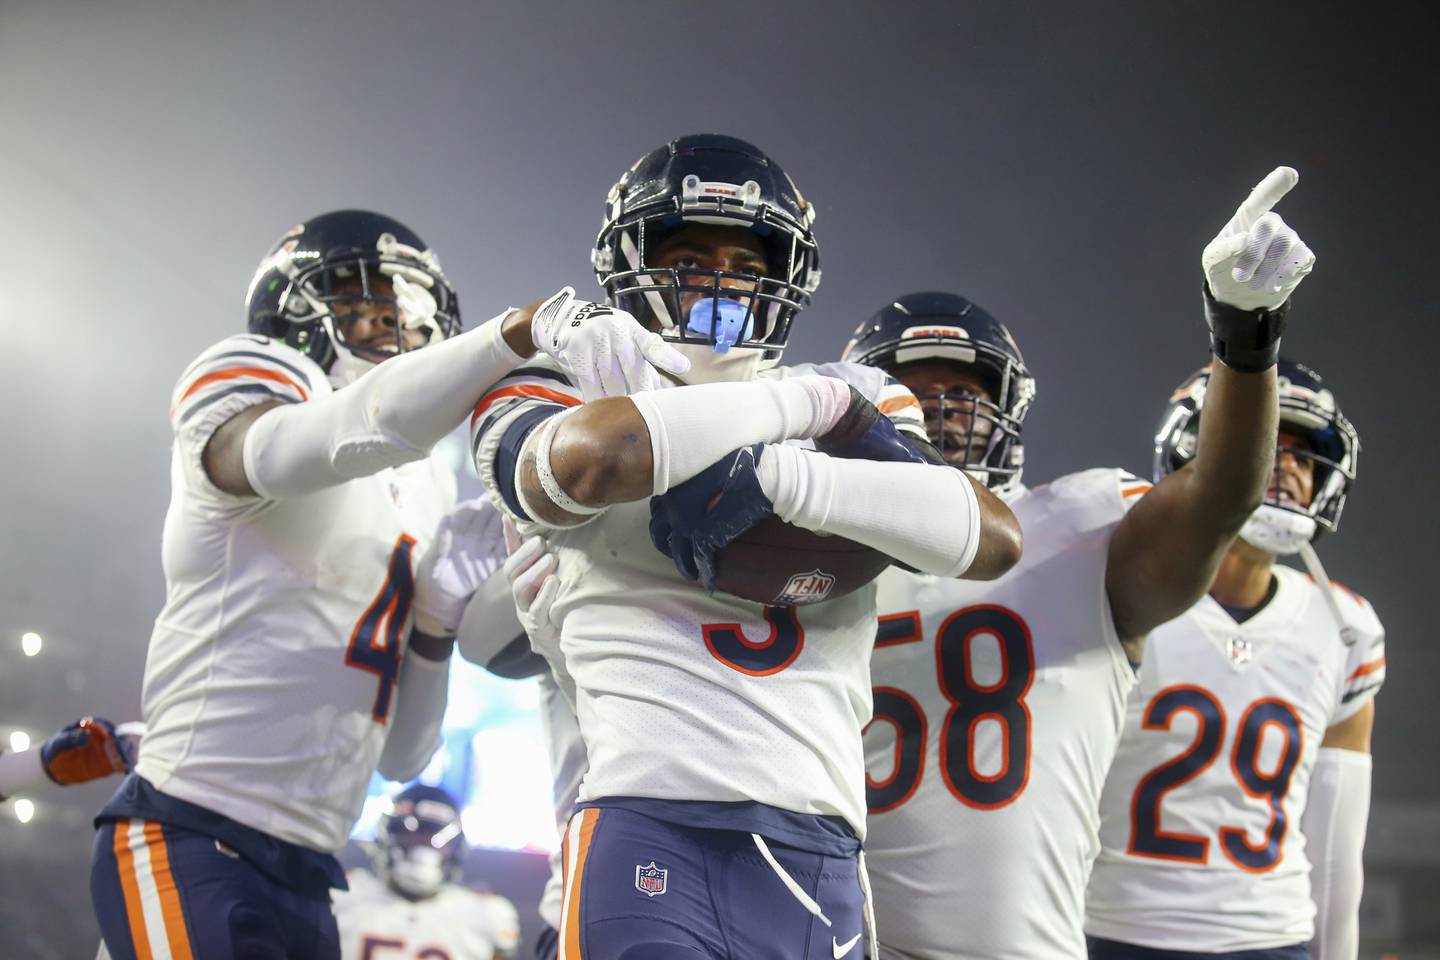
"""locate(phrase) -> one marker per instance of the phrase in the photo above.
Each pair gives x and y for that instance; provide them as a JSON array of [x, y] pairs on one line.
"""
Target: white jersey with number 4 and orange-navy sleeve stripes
[[273, 666]]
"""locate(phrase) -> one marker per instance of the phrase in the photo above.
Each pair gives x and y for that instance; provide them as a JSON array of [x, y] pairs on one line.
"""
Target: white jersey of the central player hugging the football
[[693, 697]]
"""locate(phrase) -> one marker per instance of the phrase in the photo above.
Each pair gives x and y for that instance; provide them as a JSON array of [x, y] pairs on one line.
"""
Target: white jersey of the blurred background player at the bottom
[[457, 923]]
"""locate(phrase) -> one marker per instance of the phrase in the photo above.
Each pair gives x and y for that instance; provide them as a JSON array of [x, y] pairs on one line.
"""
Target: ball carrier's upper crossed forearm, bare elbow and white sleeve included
[[623, 450]]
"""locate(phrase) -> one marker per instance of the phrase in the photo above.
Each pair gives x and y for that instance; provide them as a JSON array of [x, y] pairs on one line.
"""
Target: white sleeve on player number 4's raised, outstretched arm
[[392, 415]]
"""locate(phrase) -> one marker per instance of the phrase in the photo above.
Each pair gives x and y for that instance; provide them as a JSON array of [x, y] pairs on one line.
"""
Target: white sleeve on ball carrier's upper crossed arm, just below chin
[[692, 428]]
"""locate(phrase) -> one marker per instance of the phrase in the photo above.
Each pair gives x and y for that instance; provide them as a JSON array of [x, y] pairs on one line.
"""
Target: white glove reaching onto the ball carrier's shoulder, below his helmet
[[603, 348]]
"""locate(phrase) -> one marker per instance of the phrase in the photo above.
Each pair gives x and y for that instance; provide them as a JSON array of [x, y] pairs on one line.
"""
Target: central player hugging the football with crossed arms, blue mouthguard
[[724, 807]]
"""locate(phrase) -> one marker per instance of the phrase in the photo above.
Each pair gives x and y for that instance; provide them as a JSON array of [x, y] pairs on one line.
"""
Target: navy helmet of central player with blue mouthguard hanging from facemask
[[718, 181]]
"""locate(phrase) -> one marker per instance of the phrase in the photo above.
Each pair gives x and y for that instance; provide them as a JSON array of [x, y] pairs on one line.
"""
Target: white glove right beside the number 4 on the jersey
[[467, 549]]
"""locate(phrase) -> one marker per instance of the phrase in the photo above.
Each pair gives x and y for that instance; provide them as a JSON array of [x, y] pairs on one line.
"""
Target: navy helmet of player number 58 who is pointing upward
[[948, 327]]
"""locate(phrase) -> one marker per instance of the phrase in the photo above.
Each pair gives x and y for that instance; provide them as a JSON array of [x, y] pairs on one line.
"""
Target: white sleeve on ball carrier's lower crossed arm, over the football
[[876, 504]]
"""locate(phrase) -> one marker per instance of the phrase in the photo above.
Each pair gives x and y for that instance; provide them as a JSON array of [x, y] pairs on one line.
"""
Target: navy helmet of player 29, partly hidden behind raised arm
[[1308, 409]]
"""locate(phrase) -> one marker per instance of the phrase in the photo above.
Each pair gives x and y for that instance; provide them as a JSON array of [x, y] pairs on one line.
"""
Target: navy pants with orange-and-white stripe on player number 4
[[168, 893]]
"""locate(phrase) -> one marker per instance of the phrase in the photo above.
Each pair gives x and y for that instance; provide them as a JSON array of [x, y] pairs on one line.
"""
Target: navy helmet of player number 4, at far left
[[338, 258]]
